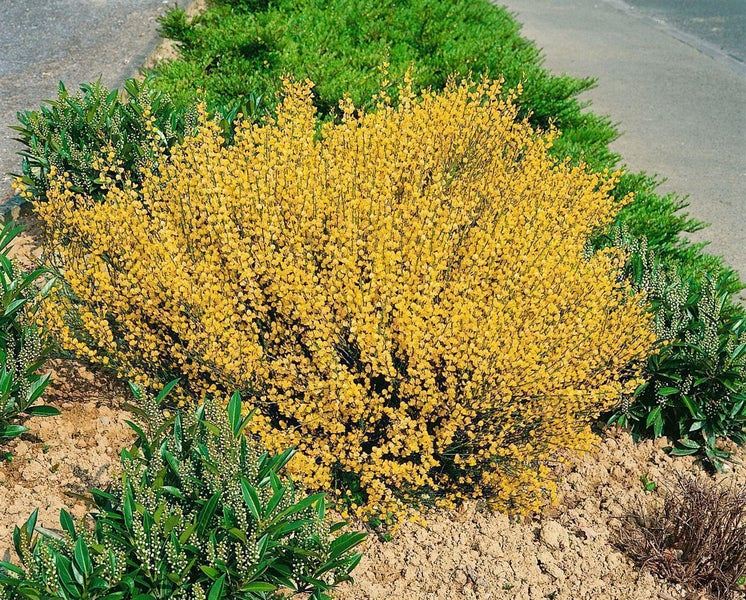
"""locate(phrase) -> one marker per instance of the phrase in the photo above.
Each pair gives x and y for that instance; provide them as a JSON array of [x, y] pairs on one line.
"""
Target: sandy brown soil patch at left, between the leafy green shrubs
[[62, 457]]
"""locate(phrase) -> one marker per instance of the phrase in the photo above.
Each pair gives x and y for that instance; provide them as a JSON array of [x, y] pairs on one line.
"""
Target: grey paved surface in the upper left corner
[[43, 42]]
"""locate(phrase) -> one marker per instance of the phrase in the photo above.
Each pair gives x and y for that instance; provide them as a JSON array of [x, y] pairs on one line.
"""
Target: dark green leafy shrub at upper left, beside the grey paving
[[77, 133]]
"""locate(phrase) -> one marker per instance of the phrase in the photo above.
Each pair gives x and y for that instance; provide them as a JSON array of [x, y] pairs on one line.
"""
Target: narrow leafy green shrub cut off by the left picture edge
[[22, 349]]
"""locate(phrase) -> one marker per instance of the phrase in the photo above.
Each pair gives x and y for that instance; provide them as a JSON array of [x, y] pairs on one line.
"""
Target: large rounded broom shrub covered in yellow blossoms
[[404, 296]]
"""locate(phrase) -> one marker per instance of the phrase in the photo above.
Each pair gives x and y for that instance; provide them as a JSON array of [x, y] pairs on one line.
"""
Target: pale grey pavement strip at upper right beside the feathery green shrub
[[681, 104]]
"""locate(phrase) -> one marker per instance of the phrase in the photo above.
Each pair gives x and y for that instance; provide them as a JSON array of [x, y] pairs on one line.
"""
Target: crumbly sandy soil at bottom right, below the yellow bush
[[566, 554]]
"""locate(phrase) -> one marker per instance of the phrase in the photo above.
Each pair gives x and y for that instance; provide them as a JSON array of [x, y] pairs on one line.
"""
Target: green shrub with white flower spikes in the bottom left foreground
[[200, 512]]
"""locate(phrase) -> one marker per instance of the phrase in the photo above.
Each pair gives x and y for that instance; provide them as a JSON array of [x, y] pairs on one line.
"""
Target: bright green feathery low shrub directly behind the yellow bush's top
[[341, 44]]
